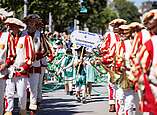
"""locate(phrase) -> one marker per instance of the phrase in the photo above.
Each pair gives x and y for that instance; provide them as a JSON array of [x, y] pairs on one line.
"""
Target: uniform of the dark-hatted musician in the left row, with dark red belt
[[41, 49]]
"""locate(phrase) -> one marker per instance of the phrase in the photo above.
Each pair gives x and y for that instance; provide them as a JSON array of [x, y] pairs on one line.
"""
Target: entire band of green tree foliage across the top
[[65, 11]]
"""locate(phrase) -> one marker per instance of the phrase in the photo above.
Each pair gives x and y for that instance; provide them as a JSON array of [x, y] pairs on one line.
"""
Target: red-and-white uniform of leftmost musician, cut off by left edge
[[7, 54]]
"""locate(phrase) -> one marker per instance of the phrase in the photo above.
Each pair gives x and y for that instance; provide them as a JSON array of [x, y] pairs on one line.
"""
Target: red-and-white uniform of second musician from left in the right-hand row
[[124, 97]]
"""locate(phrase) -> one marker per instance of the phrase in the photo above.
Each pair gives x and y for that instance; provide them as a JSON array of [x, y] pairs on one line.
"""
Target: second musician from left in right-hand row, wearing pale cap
[[125, 89]]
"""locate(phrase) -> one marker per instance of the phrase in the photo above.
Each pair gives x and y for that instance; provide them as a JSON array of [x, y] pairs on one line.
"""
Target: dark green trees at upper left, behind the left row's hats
[[63, 11]]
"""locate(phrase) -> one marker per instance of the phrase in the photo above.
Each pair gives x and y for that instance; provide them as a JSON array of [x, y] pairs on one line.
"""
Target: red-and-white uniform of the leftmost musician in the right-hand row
[[107, 51]]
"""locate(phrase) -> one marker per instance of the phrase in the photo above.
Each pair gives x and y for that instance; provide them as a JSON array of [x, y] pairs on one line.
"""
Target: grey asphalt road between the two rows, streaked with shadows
[[58, 103]]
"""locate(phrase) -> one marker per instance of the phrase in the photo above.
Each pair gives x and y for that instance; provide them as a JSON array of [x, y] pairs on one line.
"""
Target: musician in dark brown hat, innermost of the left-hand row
[[41, 49]]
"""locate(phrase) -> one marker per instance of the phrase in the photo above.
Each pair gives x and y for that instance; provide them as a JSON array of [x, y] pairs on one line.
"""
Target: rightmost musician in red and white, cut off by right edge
[[144, 68]]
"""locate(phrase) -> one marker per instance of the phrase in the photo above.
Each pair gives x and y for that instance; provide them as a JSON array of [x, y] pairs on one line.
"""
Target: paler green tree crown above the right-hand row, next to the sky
[[127, 10]]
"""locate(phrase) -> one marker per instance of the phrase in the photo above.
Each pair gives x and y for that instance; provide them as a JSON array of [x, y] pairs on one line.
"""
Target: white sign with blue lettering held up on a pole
[[85, 39]]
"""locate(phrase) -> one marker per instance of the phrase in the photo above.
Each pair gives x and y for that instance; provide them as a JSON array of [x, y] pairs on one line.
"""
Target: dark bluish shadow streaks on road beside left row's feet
[[59, 106]]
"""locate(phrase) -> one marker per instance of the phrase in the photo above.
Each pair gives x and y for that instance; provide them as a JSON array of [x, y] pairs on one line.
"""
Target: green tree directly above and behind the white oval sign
[[98, 16]]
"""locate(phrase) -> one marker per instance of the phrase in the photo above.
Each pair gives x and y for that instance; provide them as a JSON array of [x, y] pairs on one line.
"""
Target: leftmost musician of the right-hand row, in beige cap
[[107, 51]]
